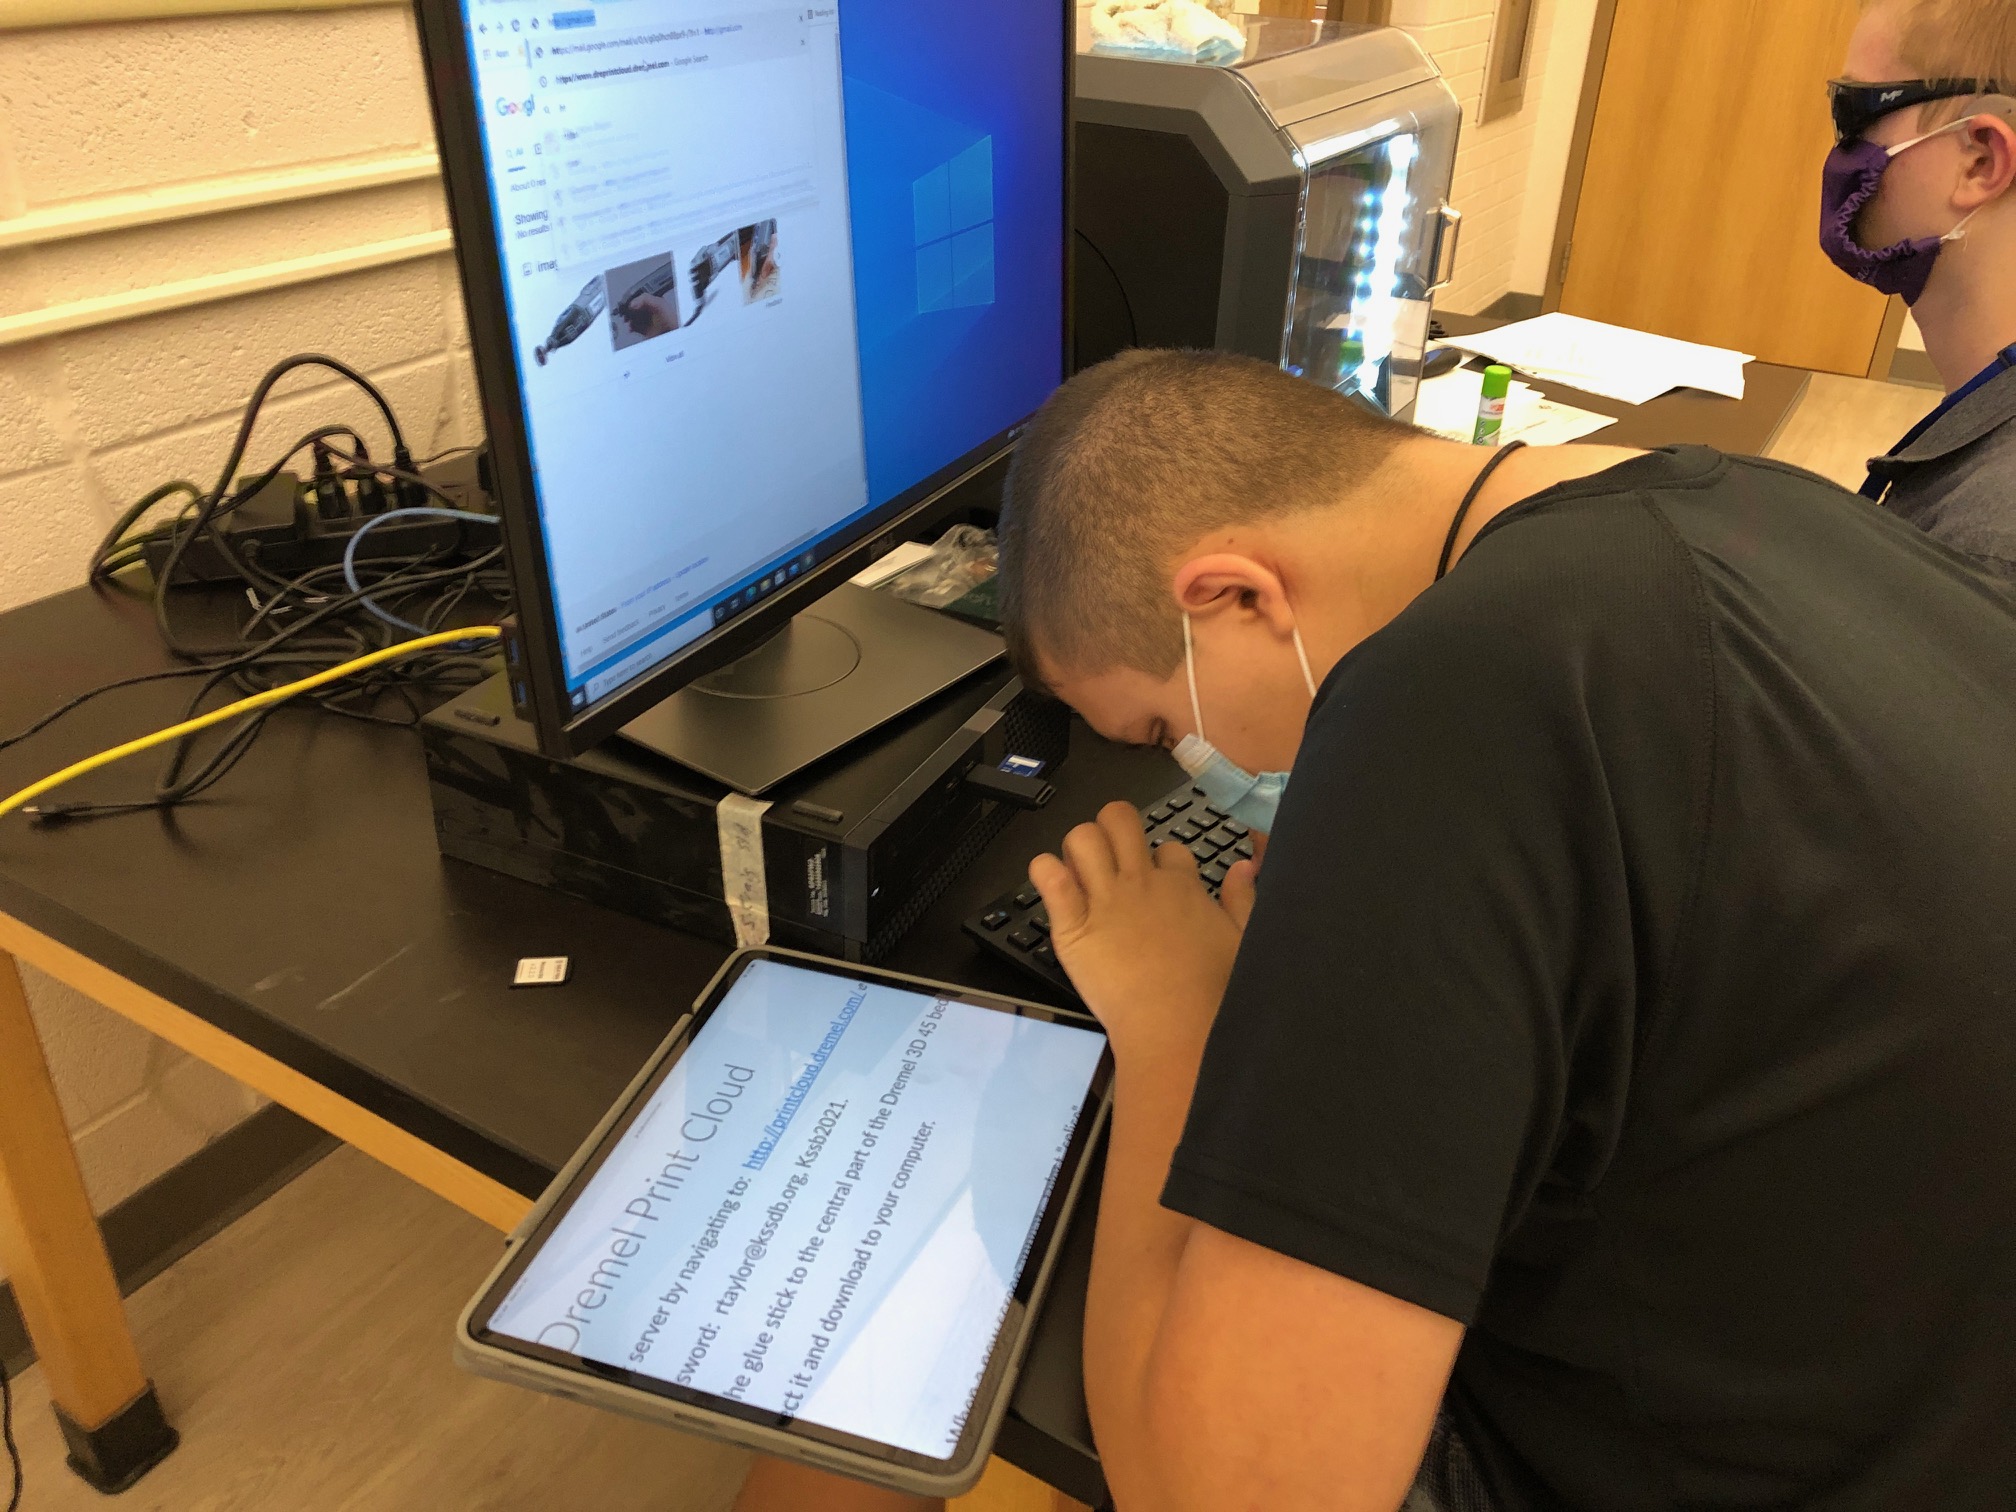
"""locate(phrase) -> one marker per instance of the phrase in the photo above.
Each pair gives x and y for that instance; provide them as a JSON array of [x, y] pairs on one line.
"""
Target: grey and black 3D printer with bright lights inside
[[1291, 205]]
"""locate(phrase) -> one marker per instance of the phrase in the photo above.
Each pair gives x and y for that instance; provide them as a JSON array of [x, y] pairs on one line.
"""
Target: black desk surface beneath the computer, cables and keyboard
[[305, 910]]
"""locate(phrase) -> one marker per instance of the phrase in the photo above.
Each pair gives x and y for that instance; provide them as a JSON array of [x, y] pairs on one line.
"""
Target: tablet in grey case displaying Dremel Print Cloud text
[[817, 1225]]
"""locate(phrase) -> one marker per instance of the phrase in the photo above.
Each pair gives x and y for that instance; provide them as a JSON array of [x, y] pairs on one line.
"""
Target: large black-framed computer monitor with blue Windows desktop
[[751, 285]]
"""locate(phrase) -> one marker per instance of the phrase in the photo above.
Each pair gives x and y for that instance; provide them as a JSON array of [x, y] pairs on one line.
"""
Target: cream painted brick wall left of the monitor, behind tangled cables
[[92, 420]]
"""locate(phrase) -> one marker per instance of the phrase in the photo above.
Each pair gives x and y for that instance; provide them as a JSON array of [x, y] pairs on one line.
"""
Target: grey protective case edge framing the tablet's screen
[[559, 1382]]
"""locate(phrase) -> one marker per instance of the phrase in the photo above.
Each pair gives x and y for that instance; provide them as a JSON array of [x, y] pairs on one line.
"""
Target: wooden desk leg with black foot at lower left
[[64, 1279]]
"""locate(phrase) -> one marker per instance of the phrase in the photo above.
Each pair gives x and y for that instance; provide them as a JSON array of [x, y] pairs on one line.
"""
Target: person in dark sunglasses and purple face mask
[[1920, 203]]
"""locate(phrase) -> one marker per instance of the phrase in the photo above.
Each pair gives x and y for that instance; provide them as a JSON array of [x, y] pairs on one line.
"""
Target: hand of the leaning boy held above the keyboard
[[1138, 932]]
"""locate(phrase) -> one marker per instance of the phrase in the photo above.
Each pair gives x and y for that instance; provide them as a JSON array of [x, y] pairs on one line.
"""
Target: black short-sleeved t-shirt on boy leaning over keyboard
[[1634, 981]]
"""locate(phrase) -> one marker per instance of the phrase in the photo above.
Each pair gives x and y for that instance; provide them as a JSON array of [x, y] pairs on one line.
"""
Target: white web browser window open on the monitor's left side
[[672, 207]]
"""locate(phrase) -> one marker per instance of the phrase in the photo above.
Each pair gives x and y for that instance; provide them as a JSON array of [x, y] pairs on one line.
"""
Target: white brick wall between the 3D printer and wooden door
[[1505, 203]]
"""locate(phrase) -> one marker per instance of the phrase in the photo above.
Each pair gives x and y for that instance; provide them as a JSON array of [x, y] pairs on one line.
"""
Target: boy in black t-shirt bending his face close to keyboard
[[1606, 1094]]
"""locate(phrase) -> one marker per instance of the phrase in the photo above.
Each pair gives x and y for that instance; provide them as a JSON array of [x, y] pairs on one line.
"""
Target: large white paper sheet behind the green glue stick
[[1610, 360]]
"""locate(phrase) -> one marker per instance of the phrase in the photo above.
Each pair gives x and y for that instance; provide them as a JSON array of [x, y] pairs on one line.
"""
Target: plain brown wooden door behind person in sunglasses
[[1700, 201]]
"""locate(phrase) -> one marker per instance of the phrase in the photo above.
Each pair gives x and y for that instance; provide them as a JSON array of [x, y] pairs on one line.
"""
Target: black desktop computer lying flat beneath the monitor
[[842, 858]]
